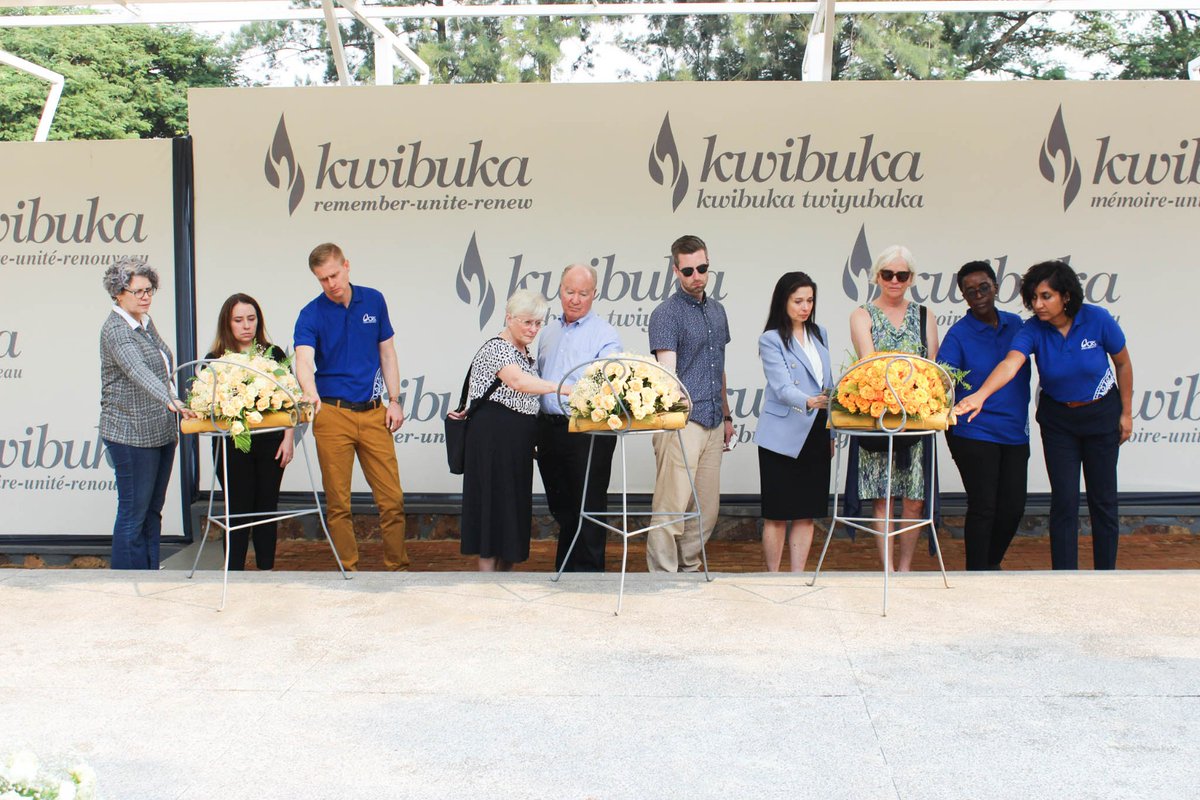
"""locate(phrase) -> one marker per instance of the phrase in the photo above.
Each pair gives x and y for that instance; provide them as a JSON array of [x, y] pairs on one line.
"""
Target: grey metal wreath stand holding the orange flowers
[[902, 430]]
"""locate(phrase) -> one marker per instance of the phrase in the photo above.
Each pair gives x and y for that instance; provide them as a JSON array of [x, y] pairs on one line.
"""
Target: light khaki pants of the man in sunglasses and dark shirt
[[676, 548]]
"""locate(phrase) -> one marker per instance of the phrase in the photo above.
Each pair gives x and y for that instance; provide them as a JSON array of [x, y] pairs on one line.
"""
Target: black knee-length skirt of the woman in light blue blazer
[[797, 489]]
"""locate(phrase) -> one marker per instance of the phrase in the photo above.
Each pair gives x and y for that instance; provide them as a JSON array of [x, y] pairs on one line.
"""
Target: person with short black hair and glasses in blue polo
[[993, 450]]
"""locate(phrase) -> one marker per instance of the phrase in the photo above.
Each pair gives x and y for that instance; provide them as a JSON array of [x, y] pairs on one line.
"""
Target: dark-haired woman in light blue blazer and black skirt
[[795, 447]]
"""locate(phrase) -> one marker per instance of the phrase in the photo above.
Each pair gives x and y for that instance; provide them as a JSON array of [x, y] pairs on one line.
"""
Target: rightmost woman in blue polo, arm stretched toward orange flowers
[[1085, 407]]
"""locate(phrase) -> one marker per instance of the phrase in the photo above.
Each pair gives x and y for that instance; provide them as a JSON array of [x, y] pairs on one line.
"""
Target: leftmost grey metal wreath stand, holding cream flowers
[[253, 518]]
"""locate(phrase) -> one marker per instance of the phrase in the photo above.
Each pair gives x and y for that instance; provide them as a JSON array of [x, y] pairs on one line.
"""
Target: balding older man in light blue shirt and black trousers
[[574, 339]]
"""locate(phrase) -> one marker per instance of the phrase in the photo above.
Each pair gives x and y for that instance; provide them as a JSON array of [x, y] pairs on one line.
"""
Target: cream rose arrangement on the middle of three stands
[[627, 380]]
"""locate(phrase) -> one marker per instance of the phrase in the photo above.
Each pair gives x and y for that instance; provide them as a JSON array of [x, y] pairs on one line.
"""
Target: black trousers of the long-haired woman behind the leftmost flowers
[[255, 482]]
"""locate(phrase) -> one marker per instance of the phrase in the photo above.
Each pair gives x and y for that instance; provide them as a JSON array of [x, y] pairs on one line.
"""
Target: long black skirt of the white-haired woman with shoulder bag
[[497, 484]]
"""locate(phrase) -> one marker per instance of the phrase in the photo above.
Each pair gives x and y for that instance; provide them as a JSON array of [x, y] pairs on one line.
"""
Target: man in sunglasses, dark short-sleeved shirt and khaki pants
[[688, 334]]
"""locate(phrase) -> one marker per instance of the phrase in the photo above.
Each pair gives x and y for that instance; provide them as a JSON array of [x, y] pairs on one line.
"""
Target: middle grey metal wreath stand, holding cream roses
[[627, 430]]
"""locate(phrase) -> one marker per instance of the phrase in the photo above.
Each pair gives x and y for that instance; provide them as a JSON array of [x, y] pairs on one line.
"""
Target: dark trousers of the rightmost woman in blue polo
[[1089, 437]]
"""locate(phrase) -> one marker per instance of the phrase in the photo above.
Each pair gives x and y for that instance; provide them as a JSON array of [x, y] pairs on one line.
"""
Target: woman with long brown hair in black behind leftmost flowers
[[255, 477]]
